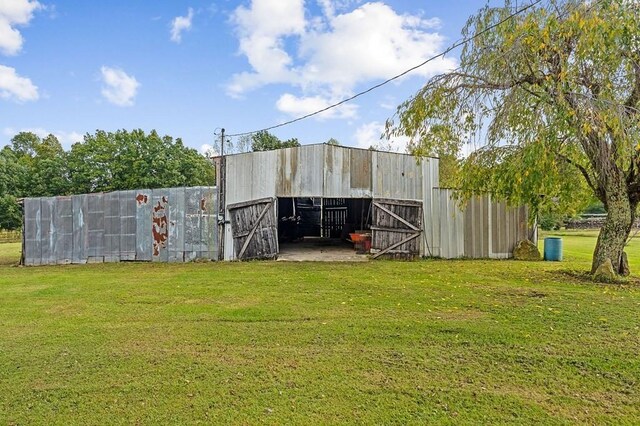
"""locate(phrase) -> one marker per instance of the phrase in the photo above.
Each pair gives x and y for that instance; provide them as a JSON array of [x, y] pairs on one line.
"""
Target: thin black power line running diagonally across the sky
[[402, 74]]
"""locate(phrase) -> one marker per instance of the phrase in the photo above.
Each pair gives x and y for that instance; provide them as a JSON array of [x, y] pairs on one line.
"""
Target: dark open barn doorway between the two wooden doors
[[321, 229]]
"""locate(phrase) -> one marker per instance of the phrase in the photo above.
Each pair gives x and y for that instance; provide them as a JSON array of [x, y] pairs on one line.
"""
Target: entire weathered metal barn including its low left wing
[[265, 199]]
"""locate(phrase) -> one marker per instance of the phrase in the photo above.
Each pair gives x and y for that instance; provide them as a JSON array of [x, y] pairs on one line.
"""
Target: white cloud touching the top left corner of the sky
[[14, 13]]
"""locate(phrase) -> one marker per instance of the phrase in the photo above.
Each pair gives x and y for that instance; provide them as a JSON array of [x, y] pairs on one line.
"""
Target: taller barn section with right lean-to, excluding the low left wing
[[393, 196]]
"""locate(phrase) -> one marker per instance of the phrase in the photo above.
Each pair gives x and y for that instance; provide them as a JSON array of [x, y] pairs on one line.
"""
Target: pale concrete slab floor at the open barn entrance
[[320, 250]]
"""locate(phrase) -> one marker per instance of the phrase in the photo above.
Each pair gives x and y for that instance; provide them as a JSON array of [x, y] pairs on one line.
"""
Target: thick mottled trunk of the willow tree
[[613, 235]]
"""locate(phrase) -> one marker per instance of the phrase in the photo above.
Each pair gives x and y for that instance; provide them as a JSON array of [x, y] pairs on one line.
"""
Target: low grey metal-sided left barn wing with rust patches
[[125, 225]]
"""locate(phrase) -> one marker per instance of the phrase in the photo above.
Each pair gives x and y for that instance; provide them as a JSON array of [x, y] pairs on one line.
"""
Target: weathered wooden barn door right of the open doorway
[[396, 228]]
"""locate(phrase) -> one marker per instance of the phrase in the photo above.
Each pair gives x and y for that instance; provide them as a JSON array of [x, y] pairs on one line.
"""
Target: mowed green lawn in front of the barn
[[449, 342]]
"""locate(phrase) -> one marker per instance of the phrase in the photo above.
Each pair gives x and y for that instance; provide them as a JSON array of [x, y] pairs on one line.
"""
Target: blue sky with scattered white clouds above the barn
[[190, 68]]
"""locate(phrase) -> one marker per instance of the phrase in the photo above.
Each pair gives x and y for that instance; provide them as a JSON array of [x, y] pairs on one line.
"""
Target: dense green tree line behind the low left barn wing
[[31, 166]]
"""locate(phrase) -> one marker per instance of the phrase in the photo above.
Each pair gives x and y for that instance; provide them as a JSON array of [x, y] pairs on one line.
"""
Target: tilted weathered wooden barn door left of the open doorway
[[254, 229]]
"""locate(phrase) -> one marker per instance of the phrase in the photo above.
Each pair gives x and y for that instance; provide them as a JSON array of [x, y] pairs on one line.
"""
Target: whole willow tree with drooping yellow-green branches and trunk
[[553, 95]]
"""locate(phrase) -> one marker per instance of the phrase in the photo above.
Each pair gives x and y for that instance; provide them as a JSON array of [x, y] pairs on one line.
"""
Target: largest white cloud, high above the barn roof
[[327, 57]]
